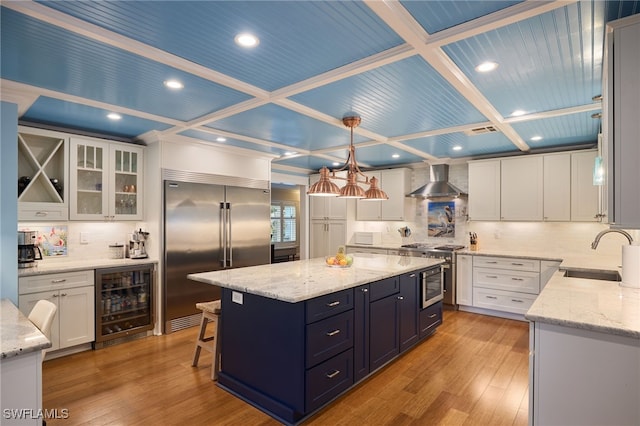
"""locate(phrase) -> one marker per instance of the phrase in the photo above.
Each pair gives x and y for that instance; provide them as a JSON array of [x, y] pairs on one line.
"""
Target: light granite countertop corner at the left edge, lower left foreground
[[18, 335]]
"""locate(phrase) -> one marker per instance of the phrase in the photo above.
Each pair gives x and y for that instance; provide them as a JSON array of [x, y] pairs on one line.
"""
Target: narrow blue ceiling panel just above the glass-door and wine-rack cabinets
[[81, 117]]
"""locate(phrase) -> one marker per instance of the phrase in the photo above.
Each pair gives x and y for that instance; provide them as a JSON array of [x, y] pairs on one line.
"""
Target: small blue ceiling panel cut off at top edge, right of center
[[436, 16]]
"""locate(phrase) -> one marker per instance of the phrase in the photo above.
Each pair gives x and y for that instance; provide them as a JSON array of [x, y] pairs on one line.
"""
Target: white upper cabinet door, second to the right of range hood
[[521, 189]]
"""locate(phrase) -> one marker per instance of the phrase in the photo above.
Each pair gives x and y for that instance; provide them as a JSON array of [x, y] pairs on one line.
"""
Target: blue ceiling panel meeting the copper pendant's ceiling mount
[[400, 98]]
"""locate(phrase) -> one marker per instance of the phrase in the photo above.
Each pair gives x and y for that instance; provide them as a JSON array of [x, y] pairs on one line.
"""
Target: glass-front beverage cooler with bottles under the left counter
[[124, 301]]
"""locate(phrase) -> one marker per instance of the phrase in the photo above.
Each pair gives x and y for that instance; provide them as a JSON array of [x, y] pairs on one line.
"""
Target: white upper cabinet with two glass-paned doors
[[106, 180]]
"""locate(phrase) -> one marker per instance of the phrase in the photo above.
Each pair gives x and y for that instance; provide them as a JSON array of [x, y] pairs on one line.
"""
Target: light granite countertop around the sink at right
[[594, 305]]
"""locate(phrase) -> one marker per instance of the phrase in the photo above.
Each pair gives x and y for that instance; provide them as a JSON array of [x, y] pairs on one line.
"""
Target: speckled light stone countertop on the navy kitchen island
[[305, 279]]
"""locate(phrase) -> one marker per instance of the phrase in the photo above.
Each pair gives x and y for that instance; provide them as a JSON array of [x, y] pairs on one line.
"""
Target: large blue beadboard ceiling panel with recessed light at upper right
[[547, 62]]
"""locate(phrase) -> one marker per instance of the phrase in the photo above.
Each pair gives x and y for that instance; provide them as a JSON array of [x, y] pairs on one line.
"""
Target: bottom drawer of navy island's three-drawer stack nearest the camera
[[327, 380]]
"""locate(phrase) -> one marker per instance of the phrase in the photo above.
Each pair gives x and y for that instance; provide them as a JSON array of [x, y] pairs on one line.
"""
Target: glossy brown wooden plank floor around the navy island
[[472, 371]]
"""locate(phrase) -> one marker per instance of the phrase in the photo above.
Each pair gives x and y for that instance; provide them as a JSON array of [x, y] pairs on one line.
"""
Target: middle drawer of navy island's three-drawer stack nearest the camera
[[329, 337]]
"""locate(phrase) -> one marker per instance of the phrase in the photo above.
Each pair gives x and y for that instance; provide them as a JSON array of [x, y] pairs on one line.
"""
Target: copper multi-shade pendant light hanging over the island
[[324, 187]]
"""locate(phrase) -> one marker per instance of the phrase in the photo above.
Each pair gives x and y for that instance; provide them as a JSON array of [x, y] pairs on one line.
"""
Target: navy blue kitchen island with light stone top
[[296, 335]]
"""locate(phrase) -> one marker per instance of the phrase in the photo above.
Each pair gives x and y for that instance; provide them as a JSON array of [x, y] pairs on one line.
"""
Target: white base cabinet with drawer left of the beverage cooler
[[73, 293]]
